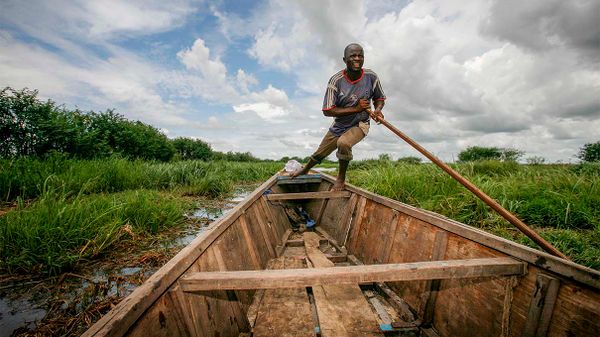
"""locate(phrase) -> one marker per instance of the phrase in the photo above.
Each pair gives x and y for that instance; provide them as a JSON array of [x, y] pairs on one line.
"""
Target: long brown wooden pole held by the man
[[533, 235]]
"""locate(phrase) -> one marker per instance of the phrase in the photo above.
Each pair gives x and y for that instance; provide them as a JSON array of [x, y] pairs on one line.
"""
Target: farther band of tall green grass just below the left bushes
[[25, 177]]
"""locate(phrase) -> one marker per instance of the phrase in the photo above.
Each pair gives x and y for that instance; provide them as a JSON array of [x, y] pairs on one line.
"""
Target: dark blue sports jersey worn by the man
[[342, 92]]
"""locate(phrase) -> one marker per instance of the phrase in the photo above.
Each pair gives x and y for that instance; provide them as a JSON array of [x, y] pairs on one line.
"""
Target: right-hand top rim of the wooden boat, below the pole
[[565, 268]]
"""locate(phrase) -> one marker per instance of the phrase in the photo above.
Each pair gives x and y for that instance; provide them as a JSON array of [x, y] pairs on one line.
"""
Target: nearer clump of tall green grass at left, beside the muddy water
[[55, 232]]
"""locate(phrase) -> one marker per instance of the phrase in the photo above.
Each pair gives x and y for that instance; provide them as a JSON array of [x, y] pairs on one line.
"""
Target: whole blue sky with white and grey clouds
[[250, 76]]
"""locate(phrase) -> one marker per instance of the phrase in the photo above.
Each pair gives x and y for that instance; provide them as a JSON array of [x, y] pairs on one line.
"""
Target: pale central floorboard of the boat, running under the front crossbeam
[[342, 309]]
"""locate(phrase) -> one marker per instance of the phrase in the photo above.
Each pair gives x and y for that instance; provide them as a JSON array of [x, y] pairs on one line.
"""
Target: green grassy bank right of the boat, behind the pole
[[562, 202]]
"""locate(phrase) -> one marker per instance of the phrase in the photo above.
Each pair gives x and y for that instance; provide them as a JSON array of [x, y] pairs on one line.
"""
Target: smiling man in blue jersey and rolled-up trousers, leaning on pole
[[347, 99]]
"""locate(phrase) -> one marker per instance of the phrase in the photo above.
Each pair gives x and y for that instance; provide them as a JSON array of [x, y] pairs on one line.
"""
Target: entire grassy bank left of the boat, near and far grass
[[68, 210]]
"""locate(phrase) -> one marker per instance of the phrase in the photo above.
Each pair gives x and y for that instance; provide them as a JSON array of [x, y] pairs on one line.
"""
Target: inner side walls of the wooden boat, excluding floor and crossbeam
[[554, 297]]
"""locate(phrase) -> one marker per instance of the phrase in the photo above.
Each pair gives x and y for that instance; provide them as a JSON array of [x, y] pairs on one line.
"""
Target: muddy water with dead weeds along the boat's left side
[[61, 305]]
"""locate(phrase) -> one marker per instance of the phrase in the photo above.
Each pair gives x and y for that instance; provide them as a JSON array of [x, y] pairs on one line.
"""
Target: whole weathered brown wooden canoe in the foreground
[[372, 267]]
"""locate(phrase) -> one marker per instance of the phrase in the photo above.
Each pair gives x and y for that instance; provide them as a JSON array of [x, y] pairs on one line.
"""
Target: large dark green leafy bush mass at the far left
[[30, 127]]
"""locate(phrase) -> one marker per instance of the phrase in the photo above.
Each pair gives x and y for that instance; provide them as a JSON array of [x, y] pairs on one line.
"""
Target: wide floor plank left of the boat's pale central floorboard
[[284, 312]]
